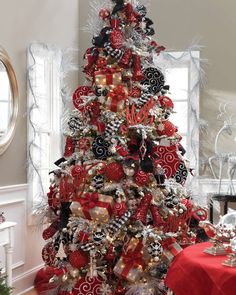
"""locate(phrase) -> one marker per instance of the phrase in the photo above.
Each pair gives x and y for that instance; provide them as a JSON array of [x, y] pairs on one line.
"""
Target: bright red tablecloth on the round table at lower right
[[196, 273]]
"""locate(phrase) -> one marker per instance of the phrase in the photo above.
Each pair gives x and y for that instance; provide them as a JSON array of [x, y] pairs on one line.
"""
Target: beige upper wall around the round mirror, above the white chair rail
[[21, 22]]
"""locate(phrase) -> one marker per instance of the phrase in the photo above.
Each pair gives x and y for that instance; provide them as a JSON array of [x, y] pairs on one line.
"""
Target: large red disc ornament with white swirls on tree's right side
[[168, 159]]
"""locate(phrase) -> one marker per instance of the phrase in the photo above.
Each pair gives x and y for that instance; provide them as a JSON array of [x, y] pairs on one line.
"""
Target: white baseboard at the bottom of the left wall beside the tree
[[24, 282]]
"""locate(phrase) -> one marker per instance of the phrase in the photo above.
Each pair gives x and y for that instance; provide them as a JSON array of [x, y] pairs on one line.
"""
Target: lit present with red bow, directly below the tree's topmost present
[[117, 98]]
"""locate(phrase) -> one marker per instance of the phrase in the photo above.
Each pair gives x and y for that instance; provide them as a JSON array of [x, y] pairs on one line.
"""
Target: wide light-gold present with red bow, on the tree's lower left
[[93, 206]]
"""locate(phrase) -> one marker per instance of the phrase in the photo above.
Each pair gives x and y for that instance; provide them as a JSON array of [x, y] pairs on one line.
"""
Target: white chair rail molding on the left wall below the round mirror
[[13, 194]]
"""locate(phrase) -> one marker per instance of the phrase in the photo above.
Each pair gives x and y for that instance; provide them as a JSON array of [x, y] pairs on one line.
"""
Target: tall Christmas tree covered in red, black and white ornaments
[[118, 209]]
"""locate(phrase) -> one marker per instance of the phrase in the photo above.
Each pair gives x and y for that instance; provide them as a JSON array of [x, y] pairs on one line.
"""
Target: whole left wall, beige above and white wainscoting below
[[21, 22]]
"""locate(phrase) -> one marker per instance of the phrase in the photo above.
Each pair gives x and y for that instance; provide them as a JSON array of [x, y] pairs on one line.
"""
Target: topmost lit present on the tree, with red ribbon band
[[108, 77]]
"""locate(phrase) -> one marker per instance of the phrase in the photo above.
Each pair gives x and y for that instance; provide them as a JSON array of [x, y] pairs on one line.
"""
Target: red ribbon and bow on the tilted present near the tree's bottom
[[133, 259]]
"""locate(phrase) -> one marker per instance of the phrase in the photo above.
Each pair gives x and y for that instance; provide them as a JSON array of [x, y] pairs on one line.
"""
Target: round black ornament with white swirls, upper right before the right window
[[154, 80]]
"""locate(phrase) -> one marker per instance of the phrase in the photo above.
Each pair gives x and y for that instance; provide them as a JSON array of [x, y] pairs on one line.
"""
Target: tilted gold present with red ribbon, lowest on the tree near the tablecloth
[[132, 263]]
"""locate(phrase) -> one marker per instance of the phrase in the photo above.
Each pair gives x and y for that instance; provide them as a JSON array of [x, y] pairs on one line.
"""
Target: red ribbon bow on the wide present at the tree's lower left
[[90, 201]]
